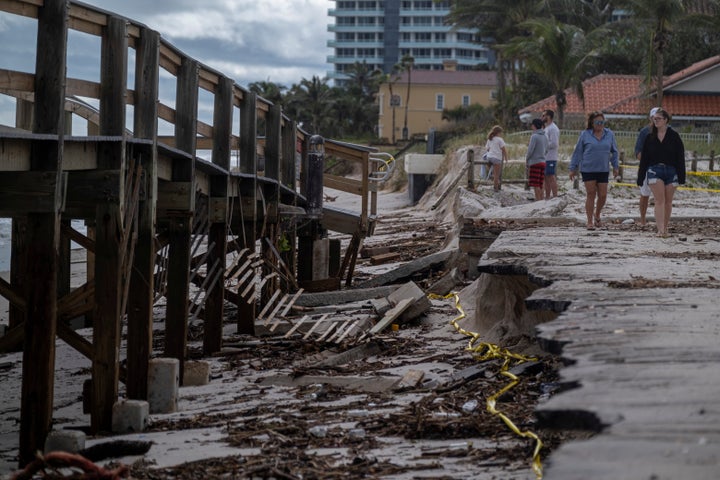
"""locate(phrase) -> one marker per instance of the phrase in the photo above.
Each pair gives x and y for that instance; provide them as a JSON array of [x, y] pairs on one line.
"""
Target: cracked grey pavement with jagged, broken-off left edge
[[639, 322]]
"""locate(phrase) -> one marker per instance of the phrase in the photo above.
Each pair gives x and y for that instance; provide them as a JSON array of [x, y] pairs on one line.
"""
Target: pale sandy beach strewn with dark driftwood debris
[[255, 395]]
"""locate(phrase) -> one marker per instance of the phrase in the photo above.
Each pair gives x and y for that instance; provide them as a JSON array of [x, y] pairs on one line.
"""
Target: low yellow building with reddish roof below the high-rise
[[431, 91]]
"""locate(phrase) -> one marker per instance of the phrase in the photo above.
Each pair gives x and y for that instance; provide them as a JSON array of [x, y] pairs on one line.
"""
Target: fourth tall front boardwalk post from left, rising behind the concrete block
[[180, 229]]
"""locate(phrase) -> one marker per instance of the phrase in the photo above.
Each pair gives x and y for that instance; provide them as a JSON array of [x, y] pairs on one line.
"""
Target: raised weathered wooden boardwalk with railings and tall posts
[[228, 207]]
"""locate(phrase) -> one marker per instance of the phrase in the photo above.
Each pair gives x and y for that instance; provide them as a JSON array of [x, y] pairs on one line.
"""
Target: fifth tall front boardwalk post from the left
[[215, 296]]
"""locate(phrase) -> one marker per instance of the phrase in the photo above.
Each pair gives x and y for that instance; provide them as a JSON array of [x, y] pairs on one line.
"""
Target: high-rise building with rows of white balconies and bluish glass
[[380, 33]]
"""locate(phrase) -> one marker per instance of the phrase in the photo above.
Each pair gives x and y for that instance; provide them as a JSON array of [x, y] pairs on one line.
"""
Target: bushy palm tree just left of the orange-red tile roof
[[556, 52]]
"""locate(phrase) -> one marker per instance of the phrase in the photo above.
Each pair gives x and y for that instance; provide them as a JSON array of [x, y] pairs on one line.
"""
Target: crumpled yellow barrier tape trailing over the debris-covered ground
[[482, 352]]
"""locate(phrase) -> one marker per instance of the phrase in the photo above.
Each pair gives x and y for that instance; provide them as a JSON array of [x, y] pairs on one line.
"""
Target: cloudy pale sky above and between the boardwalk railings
[[282, 41]]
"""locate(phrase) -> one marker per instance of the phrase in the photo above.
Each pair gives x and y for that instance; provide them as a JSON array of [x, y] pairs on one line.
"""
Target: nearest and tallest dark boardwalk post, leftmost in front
[[38, 365]]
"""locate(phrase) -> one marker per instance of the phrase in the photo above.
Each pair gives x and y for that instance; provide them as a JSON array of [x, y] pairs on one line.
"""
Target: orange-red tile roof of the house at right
[[626, 95]]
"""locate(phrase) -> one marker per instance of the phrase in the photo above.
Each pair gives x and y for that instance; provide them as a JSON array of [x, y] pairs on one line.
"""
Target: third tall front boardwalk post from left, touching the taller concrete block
[[140, 303]]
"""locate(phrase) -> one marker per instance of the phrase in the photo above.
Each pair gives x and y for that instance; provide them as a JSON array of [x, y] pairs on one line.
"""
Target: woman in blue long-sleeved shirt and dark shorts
[[595, 151]]
